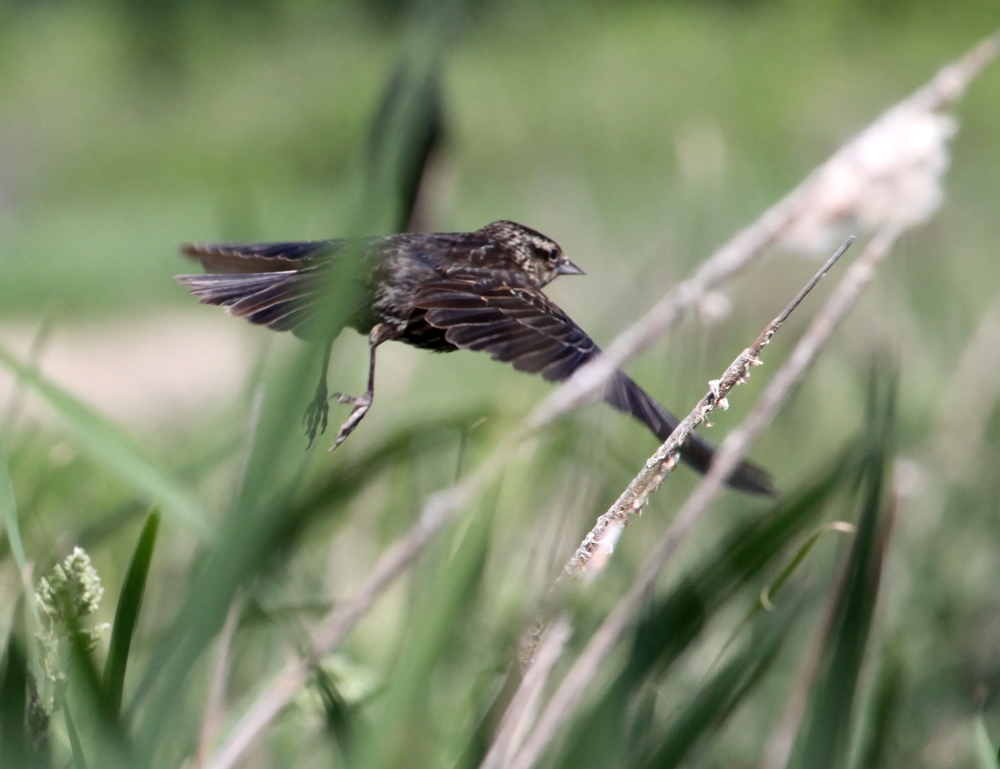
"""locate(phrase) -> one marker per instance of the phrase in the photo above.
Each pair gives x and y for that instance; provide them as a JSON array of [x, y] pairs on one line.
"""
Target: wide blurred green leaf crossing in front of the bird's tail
[[264, 521]]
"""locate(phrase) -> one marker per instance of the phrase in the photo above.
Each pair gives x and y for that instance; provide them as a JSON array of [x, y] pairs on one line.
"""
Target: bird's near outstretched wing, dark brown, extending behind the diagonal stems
[[522, 326]]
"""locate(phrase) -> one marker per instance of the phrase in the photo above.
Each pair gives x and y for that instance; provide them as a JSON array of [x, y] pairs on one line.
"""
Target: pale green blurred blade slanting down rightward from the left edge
[[110, 448]]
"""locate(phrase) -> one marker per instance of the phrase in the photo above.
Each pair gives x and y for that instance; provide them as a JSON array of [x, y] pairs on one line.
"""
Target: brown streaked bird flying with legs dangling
[[440, 291]]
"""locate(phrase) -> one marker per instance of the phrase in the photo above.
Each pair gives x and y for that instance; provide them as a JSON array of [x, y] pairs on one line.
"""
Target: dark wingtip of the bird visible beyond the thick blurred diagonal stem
[[625, 395]]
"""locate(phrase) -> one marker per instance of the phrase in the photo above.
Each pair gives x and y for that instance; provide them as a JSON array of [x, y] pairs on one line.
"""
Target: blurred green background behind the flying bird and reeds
[[639, 135]]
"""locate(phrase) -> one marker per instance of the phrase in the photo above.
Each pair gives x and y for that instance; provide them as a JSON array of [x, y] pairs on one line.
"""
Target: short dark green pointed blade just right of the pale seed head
[[127, 615]]
